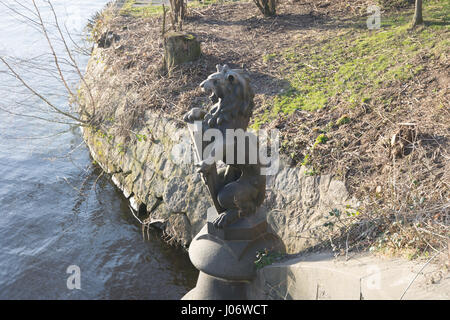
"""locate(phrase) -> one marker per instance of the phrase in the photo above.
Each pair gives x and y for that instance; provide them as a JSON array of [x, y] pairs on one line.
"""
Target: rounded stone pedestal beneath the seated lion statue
[[226, 257]]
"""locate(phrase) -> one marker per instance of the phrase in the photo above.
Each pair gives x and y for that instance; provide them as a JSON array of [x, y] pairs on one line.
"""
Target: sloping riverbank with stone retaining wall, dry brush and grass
[[361, 112]]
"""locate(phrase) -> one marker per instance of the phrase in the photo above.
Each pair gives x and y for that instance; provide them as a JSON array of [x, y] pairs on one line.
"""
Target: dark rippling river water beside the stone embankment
[[56, 209]]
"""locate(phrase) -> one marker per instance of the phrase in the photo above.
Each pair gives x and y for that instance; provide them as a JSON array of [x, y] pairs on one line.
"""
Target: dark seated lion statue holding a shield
[[239, 188]]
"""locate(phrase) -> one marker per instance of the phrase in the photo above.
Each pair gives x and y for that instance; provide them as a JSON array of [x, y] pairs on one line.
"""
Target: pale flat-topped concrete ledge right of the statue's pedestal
[[321, 276]]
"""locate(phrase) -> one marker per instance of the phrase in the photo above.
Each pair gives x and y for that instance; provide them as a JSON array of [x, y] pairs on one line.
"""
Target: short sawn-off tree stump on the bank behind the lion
[[180, 47]]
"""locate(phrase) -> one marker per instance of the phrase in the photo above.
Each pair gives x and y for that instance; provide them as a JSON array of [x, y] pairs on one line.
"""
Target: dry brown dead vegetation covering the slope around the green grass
[[392, 150]]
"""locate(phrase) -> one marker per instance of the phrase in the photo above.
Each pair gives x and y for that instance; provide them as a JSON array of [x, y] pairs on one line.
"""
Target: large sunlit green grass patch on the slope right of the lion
[[355, 64]]
